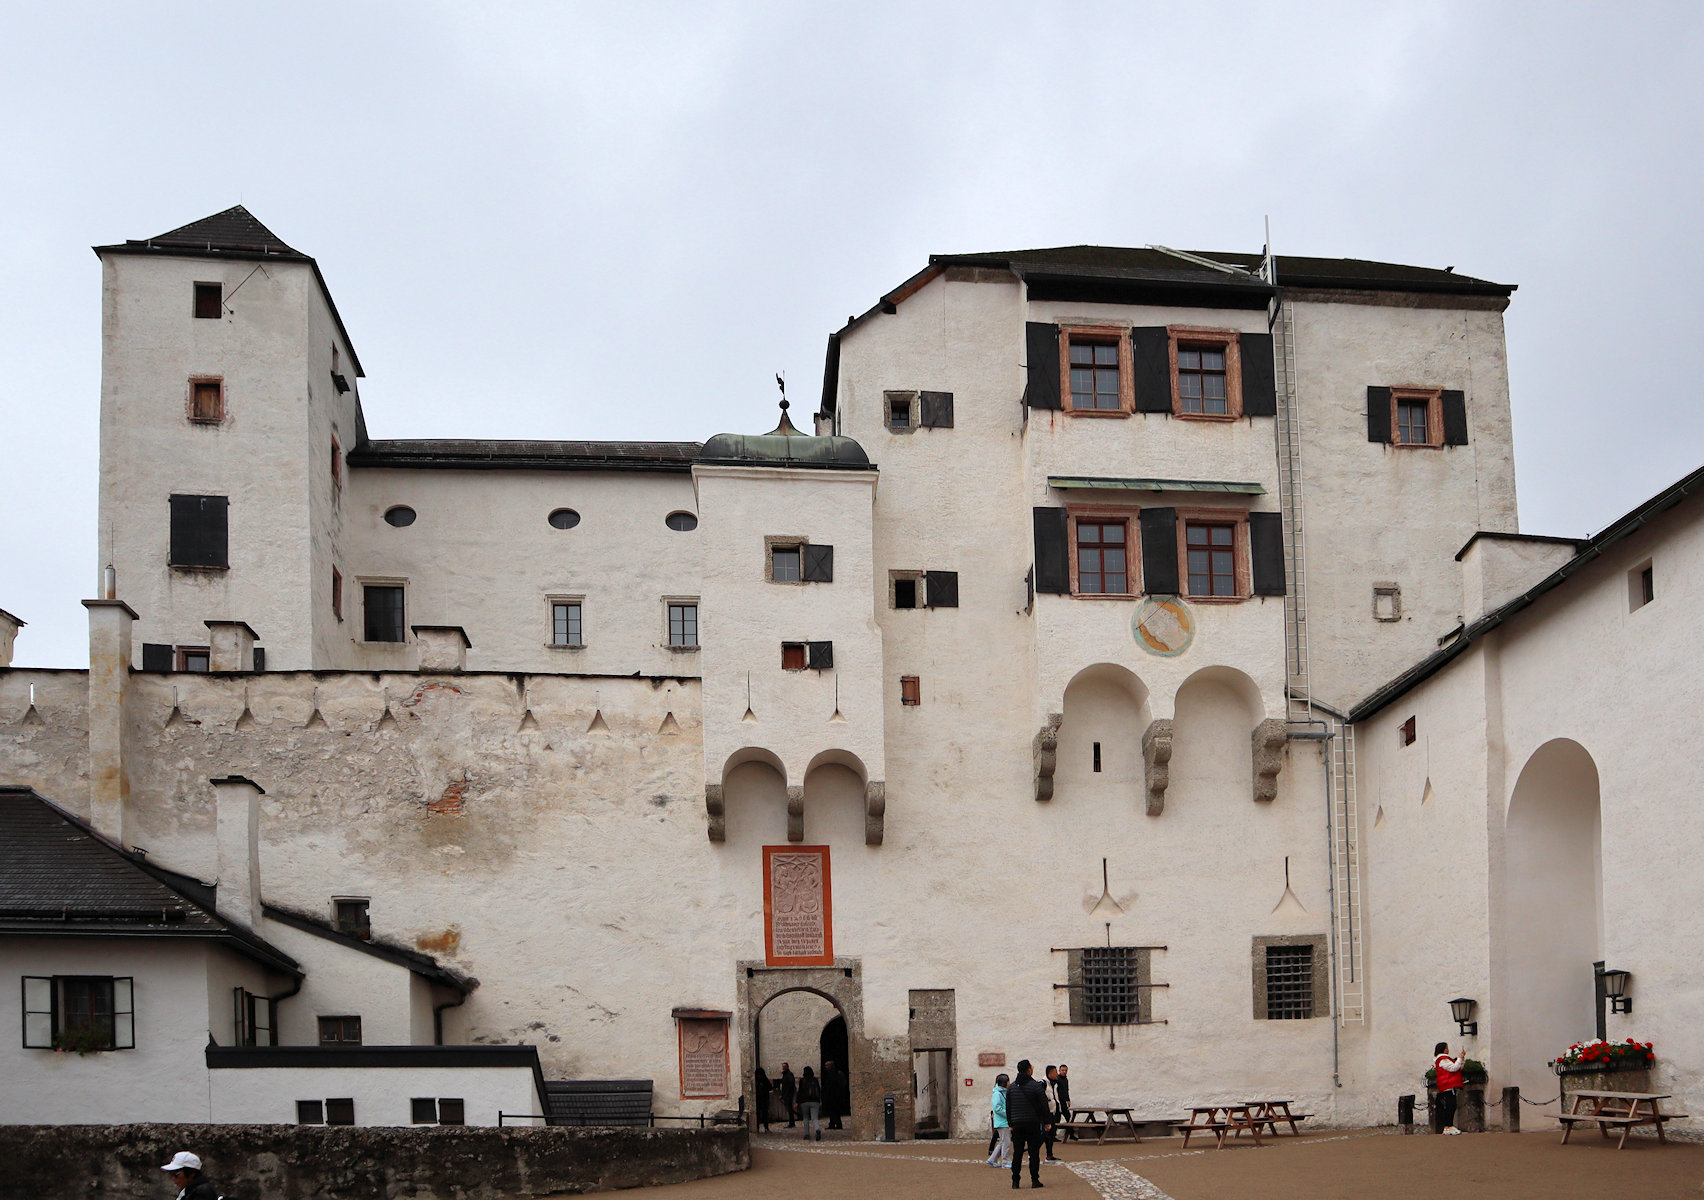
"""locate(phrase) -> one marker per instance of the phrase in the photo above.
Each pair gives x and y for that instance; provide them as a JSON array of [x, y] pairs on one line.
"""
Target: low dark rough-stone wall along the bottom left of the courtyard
[[362, 1163]]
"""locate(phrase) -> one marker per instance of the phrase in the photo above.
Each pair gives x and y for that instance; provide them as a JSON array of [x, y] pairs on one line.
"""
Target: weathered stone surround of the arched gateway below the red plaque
[[843, 986]]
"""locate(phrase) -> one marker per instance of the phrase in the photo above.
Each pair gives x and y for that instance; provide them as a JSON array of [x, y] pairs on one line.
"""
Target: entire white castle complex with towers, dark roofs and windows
[[1137, 666]]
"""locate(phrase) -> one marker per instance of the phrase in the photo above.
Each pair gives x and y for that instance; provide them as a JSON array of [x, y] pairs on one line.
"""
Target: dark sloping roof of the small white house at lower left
[[60, 879]]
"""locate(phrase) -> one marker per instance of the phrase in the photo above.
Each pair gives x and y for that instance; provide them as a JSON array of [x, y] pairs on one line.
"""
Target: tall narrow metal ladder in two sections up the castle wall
[[1299, 708]]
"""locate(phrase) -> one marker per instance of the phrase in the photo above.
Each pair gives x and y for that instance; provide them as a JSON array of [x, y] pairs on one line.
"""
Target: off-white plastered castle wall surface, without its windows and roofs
[[584, 828]]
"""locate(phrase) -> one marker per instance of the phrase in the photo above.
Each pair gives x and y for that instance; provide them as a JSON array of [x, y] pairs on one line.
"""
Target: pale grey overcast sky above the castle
[[619, 221]]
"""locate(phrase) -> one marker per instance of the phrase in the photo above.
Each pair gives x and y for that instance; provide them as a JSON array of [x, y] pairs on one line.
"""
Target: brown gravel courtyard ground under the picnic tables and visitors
[[1316, 1167]]
